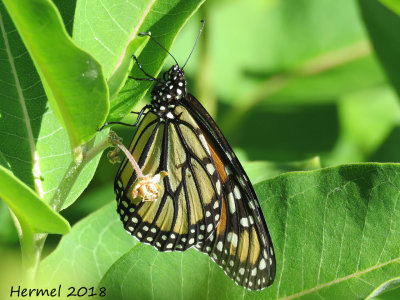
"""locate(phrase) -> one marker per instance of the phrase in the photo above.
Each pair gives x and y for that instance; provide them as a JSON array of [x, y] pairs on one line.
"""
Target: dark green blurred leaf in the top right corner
[[383, 26]]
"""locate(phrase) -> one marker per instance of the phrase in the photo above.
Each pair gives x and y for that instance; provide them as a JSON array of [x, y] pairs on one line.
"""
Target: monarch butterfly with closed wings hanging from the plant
[[206, 201]]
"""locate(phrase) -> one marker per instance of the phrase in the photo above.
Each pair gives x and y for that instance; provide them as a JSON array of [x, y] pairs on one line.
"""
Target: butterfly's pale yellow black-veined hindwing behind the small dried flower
[[189, 207]]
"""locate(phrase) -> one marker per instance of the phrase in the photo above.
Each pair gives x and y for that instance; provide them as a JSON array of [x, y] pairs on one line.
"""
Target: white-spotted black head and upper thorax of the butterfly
[[171, 88]]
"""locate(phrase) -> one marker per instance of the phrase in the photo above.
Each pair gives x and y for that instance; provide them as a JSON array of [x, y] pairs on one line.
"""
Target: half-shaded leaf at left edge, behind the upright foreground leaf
[[35, 146]]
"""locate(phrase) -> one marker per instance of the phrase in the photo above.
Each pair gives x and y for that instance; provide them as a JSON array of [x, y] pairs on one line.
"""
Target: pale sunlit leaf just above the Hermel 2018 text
[[85, 254]]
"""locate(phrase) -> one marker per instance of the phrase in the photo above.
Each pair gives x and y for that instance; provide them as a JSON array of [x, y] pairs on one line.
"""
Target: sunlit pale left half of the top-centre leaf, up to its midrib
[[113, 40]]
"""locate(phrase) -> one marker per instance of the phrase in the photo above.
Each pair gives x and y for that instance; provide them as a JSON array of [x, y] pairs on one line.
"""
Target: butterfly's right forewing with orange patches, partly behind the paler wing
[[241, 244]]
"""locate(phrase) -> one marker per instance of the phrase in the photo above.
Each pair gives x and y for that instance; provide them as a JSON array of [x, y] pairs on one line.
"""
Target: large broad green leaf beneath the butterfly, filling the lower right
[[335, 233]]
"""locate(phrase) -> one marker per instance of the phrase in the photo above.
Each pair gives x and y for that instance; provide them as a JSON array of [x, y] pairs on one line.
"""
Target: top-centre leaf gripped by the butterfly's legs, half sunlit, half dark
[[107, 28]]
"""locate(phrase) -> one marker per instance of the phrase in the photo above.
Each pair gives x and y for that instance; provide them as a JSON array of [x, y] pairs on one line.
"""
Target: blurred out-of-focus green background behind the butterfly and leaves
[[286, 80]]
